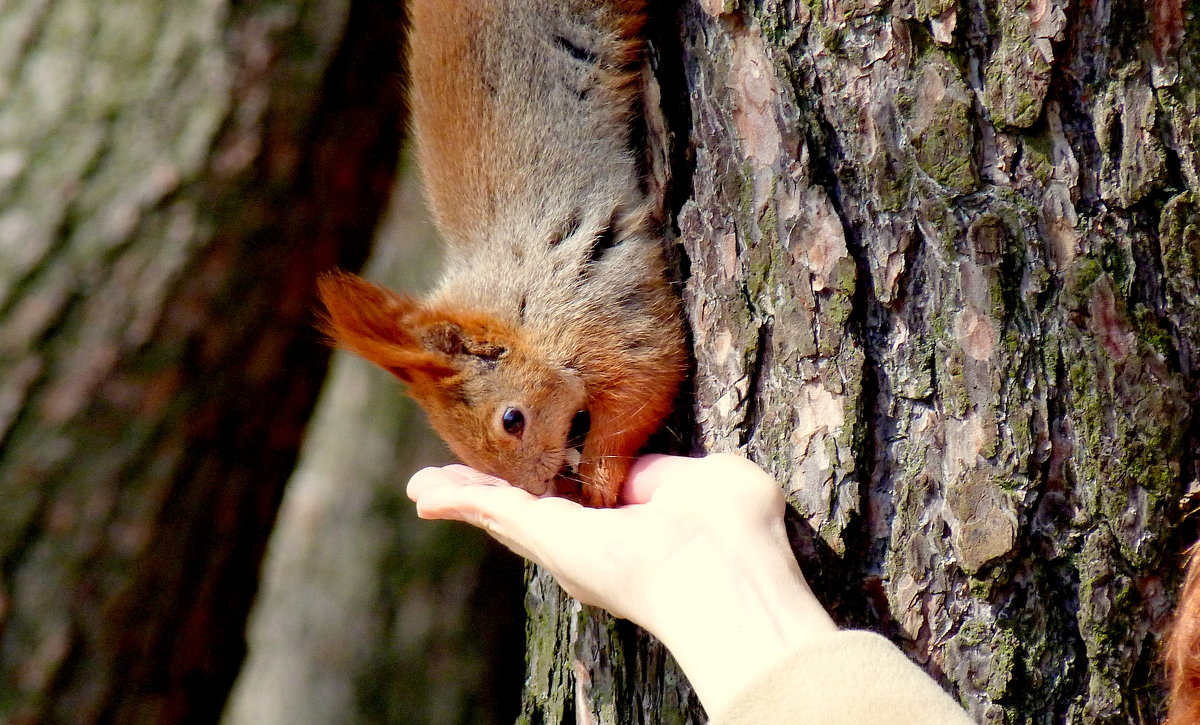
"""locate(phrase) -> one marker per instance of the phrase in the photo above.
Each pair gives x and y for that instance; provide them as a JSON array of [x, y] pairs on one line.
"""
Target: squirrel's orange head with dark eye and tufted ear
[[501, 406]]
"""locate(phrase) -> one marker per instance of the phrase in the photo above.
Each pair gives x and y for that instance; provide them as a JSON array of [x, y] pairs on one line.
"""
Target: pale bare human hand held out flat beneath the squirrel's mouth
[[698, 555]]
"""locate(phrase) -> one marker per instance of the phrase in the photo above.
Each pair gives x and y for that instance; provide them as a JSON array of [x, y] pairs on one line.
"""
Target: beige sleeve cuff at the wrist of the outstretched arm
[[851, 678]]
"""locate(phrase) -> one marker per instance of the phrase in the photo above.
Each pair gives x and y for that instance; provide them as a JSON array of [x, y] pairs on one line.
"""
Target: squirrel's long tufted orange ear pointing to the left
[[380, 326]]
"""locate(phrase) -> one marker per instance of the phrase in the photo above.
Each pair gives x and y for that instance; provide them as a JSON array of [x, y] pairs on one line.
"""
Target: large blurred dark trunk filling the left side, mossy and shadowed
[[173, 176]]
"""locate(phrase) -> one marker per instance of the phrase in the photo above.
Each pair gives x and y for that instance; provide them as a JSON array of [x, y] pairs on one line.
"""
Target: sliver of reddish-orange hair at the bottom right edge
[[1184, 651]]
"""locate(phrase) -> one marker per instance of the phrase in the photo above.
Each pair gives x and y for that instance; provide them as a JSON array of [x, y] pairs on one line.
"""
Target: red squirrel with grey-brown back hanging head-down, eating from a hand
[[554, 345]]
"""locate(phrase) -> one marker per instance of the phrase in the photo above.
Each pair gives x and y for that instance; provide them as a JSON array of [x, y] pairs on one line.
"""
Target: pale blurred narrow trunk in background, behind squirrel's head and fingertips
[[368, 616]]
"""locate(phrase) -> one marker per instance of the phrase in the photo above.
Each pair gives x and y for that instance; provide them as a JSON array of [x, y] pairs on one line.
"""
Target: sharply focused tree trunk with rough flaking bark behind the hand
[[945, 284]]
